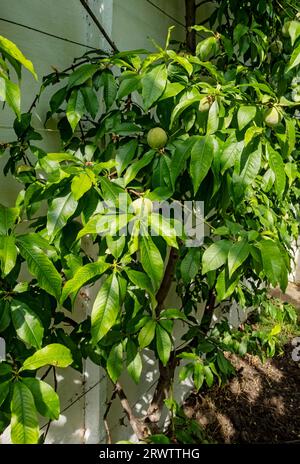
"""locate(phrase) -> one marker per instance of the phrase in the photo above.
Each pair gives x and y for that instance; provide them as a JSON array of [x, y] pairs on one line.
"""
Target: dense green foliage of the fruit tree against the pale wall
[[230, 114]]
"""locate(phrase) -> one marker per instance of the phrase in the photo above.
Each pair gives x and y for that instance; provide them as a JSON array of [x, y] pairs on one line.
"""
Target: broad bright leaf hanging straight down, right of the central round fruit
[[201, 159]]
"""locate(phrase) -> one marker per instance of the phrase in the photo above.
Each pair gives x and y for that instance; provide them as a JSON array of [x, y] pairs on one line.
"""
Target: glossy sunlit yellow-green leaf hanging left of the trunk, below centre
[[106, 308]]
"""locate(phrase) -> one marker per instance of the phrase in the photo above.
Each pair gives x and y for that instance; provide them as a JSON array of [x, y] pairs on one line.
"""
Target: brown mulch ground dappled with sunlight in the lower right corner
[[260, 405]]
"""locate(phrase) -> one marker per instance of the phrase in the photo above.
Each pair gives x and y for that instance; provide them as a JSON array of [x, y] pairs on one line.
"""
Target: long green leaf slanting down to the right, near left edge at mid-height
[[40, 265]]
